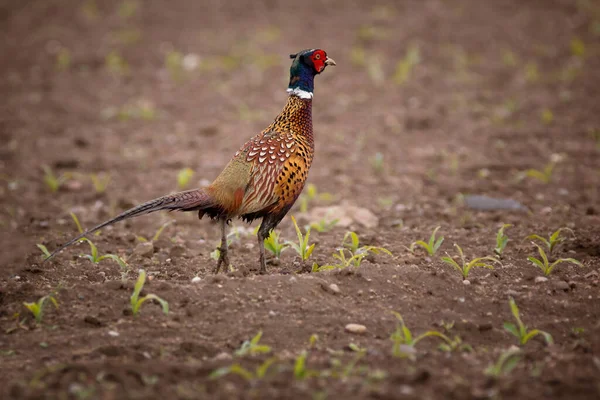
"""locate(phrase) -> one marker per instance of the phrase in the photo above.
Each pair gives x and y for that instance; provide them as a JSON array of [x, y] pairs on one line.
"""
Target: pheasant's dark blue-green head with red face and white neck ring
[[306, 65]]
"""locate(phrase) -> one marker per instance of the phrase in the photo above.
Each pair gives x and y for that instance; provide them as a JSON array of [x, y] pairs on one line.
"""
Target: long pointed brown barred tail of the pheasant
[[190, 200]]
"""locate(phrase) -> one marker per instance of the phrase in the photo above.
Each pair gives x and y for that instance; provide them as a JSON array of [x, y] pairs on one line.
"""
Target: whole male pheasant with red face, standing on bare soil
[[264, 178]]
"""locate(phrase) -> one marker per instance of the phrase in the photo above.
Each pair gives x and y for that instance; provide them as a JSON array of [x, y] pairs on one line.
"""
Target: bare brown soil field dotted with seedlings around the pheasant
[[431, 101]]
